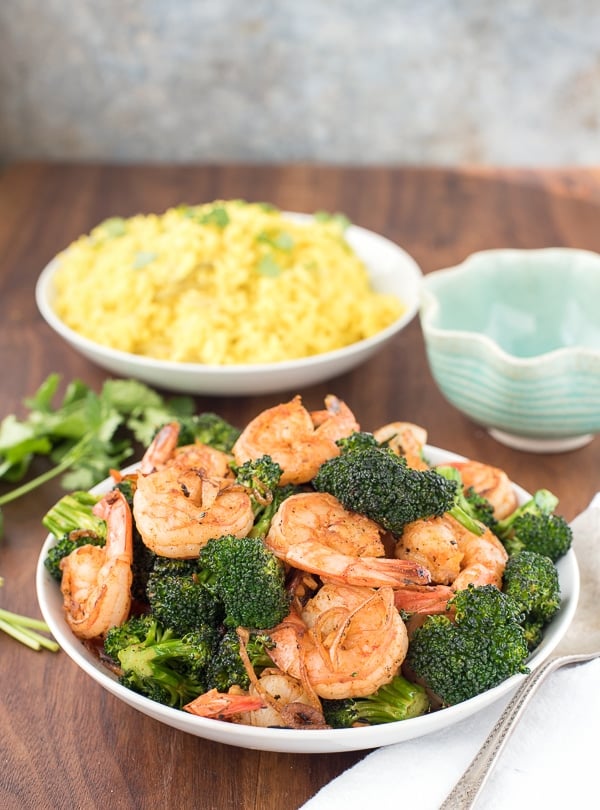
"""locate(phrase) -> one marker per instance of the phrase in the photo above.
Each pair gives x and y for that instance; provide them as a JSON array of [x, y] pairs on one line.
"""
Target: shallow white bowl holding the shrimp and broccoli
[[301, 741]]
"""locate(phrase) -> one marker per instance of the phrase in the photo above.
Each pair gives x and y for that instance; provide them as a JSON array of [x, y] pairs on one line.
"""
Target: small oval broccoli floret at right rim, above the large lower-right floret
[[531, 579]]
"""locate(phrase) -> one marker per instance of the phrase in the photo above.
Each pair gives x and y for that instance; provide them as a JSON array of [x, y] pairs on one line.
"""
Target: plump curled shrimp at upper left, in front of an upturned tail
[[177, 510]]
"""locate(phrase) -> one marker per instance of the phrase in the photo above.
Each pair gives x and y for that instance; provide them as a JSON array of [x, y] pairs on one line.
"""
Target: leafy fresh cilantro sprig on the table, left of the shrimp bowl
[[83, 437]]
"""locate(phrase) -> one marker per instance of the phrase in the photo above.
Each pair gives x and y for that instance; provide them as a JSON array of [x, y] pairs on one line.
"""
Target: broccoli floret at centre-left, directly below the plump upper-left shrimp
[[248, 579]]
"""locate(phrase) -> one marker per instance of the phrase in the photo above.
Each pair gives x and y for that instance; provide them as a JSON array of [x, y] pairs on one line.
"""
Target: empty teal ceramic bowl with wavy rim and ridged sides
[[513, 341]]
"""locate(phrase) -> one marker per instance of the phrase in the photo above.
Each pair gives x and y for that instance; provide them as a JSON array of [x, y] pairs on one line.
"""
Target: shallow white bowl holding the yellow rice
[[391, 269]]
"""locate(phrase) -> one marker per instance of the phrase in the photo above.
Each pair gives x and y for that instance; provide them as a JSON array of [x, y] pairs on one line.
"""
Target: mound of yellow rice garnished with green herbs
[[228, 282]]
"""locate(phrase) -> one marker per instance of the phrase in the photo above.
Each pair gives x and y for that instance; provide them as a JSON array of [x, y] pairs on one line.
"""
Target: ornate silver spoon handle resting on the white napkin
[[469, 786]]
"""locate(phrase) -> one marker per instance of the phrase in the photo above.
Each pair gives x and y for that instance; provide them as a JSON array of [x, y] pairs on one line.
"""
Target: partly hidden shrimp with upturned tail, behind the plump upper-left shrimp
[[163, 451]]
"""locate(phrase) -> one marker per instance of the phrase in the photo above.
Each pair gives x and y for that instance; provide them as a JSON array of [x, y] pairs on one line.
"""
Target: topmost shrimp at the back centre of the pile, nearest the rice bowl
[[297, 440]]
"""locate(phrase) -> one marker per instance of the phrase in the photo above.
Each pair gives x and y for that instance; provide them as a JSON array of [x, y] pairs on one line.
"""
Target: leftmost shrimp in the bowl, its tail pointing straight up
[[96, 581]]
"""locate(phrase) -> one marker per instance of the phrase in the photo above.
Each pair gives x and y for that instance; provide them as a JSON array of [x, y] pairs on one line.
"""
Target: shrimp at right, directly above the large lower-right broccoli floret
[[455, 558]]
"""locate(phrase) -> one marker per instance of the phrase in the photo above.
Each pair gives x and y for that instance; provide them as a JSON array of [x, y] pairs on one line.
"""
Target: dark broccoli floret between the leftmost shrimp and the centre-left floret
[[180, 598]]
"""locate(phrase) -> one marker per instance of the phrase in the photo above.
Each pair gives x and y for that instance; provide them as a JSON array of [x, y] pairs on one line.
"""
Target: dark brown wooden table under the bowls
[[64, 741]]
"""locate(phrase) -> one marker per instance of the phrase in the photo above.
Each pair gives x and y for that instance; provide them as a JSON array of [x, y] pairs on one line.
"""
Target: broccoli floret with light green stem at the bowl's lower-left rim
[[161, 665]]
